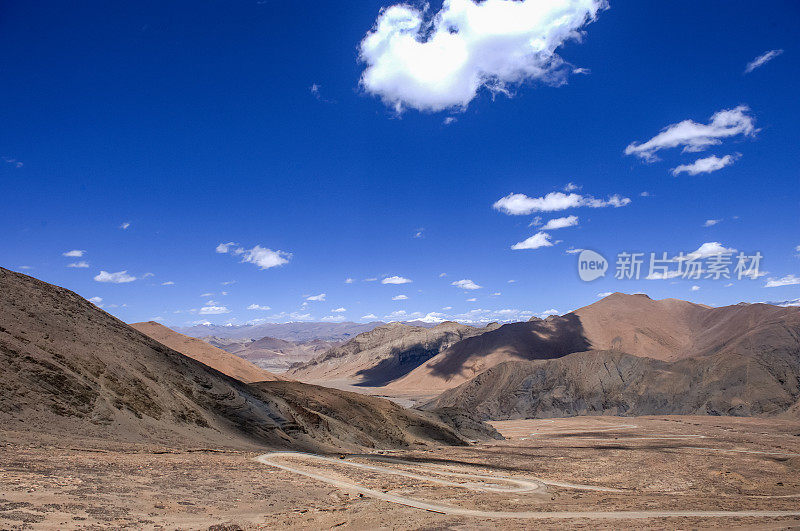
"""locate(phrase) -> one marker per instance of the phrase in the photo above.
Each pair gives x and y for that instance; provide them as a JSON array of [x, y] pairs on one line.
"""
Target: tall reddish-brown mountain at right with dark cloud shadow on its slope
[[666, 330]]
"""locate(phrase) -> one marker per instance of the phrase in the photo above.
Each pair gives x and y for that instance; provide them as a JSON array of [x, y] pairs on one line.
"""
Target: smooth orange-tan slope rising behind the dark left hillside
[[218, 359]]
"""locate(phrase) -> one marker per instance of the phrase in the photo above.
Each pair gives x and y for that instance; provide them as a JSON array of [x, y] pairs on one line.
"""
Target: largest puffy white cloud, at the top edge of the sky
[[432, 62]]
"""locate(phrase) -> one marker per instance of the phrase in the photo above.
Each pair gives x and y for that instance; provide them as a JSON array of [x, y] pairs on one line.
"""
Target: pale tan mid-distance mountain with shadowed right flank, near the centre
[[385, 353]]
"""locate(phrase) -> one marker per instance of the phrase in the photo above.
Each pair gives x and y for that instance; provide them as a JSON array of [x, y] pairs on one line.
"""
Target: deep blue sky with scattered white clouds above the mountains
[[250, 122]]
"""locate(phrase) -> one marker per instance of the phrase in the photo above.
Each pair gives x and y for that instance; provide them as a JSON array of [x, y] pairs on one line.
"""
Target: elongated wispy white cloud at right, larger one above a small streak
[[696, 137]]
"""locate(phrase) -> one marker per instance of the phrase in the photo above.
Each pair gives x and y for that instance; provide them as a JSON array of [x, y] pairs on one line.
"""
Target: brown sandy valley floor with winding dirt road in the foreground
[[647, 468]]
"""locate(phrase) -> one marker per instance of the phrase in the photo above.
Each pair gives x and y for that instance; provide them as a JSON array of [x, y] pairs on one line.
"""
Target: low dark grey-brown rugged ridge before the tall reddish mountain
[[614, 383]]
